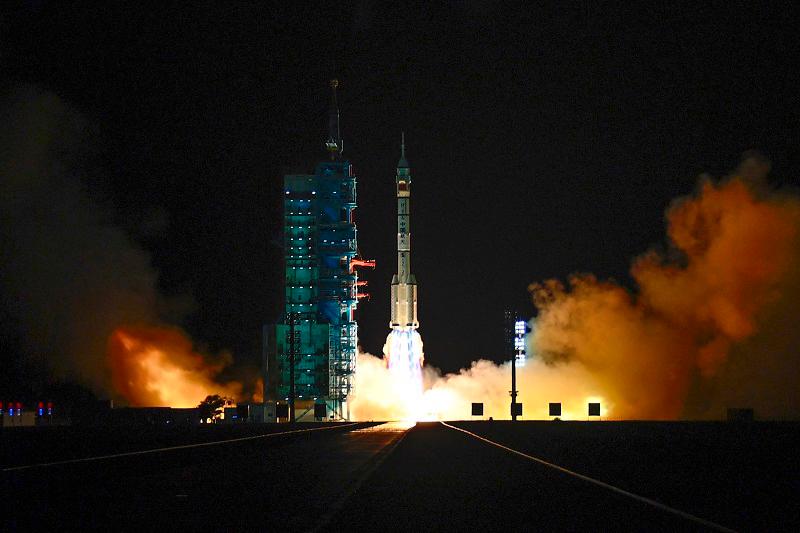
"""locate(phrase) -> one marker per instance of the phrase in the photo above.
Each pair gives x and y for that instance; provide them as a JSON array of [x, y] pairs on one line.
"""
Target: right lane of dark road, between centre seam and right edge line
[[439, 479]]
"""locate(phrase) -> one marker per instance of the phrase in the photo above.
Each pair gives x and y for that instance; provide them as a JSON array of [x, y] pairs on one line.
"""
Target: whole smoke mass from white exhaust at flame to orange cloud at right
[[710, 324]]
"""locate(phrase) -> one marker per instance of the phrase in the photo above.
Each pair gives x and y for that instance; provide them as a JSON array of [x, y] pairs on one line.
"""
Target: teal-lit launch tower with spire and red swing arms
[[321, 292]]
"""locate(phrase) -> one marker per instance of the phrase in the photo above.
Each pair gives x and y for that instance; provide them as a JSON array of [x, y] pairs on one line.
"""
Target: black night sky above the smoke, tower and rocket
[[543, 140]]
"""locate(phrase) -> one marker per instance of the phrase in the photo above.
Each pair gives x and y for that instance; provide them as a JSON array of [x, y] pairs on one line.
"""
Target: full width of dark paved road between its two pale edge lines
[[384, 478]]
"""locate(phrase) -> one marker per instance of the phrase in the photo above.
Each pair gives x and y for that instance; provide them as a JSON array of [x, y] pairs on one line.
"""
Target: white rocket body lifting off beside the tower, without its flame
[[404, 284]]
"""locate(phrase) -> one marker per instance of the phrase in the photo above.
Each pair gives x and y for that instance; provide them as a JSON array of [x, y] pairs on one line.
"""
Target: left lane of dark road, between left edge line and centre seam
[[275, 484]]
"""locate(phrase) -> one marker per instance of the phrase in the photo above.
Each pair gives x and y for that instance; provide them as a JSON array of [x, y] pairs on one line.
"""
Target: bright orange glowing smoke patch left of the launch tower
[[154, 366]]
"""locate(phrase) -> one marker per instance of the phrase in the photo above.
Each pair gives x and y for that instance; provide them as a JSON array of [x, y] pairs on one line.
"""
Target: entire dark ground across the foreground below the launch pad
[[431, 477]]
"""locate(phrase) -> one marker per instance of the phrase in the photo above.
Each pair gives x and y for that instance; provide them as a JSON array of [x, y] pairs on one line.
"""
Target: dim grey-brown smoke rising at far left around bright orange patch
[[69, 276]]
